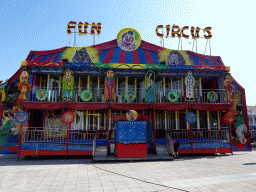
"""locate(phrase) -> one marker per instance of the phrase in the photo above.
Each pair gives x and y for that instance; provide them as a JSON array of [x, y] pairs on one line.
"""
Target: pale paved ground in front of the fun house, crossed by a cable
[[201, 173]]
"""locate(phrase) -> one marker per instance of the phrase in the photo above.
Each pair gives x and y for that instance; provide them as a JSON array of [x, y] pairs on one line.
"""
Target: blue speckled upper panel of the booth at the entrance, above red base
[[129, 132]]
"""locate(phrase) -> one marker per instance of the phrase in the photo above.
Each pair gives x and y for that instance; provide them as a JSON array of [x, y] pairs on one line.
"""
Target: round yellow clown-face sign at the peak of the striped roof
[[128, 39]]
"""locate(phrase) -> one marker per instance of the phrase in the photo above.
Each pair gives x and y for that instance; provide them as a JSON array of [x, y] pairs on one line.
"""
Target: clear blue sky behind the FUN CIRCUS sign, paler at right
[[42, 25]]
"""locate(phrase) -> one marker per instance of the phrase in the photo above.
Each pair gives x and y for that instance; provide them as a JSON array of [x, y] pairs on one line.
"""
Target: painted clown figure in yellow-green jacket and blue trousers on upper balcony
[[68, 85]]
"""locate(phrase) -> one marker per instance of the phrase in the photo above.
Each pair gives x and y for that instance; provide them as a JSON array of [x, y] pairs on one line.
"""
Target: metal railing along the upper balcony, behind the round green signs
[[200, 95]]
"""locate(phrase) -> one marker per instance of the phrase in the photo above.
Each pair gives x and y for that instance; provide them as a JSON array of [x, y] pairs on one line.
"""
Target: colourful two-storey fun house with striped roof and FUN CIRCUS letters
[[125, 98]]
